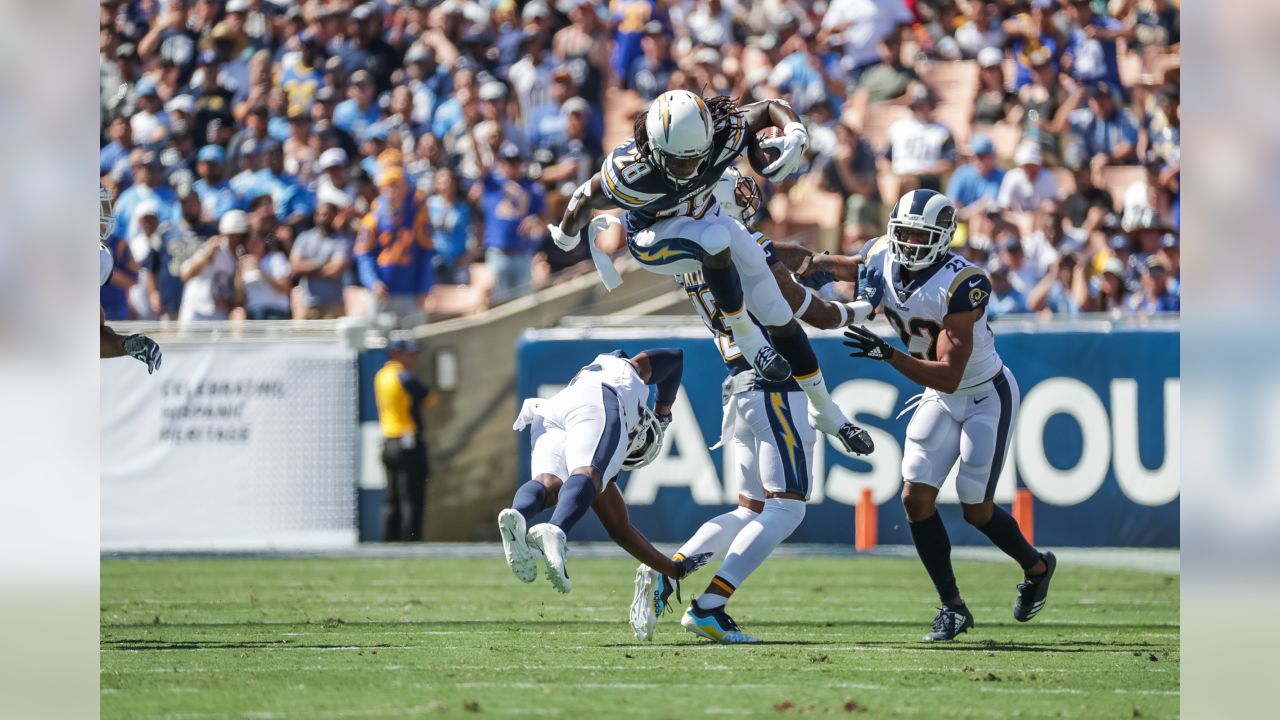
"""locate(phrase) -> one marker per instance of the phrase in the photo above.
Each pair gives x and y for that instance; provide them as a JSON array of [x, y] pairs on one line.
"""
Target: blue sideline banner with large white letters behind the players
[[1096, 439]]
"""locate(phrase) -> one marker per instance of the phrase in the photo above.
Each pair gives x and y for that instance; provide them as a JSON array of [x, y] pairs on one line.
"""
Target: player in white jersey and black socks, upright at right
[[938, 303]]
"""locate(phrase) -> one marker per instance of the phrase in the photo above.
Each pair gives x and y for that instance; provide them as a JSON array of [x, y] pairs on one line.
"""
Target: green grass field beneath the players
[[461, 637]]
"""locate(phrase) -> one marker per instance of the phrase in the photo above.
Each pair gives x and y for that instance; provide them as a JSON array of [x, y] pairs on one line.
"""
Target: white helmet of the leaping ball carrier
[[680, 133]]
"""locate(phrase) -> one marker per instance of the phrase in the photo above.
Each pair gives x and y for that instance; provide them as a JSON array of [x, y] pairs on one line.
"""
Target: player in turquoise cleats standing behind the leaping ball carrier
[[772, 445]]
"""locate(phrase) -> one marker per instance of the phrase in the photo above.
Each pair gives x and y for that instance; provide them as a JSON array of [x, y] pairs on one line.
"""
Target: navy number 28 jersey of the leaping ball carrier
[[647, 195]]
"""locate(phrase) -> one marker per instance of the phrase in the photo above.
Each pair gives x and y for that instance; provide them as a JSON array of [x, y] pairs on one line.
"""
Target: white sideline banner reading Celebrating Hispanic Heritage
[[231, 446]]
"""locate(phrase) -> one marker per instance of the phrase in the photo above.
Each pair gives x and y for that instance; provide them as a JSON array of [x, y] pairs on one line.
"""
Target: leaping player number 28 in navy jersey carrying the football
[[664, 177]]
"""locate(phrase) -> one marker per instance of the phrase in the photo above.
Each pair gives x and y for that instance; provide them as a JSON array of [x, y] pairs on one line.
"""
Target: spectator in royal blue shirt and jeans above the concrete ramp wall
[[513, 206]]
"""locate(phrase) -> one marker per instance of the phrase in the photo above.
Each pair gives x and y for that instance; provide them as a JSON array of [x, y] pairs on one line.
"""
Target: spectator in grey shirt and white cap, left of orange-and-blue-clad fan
[[321, 259]]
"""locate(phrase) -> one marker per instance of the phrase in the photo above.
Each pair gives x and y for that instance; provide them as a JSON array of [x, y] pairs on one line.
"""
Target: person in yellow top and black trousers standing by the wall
[[401, 400]]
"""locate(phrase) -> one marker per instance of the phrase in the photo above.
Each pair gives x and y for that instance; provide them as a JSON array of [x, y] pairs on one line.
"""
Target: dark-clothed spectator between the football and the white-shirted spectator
[[851, 172]]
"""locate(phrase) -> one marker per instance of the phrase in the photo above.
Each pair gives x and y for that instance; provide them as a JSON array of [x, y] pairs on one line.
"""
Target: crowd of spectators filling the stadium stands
[[275, 160]]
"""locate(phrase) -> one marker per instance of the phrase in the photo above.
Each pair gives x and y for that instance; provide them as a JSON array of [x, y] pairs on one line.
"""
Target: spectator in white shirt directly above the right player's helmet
[[921, 149]]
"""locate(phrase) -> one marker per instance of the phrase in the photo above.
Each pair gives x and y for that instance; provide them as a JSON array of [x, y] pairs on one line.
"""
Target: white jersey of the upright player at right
[[917, 309]]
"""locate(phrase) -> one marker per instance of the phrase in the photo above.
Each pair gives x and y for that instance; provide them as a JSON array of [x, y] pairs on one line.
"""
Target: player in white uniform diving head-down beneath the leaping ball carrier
[[583, 438]]
